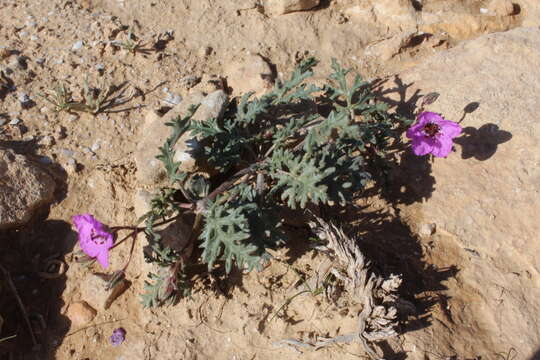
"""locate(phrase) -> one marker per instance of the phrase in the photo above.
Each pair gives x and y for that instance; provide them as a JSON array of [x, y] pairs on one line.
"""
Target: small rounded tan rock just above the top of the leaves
[[252, 73]]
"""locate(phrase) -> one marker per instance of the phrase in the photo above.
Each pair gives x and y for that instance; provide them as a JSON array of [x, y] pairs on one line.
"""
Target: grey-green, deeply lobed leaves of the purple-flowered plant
[[296, 145]]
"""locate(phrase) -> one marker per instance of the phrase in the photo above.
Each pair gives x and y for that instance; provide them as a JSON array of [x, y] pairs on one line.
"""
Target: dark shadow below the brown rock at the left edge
[[32, 255]]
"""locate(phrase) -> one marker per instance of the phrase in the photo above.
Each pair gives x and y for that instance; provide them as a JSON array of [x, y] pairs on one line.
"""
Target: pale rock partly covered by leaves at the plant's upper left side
[[150, 170]]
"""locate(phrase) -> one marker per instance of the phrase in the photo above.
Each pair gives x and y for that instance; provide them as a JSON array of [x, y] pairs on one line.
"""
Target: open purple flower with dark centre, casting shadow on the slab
[[431, 134]]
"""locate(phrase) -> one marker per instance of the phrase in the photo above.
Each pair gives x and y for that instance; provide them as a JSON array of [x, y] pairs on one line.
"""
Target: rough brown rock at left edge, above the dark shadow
[[24, 188]]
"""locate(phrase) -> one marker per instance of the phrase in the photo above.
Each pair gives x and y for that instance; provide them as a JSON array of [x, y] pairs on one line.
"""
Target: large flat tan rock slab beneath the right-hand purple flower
[[486, 199]]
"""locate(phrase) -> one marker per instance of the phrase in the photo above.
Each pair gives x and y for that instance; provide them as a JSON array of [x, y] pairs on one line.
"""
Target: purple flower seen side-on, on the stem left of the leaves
[[94, 240]]
